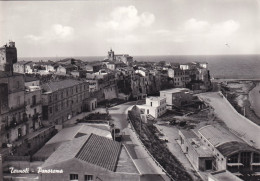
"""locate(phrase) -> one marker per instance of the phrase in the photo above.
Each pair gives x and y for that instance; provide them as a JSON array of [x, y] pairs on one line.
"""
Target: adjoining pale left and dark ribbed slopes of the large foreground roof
[[93, 149]]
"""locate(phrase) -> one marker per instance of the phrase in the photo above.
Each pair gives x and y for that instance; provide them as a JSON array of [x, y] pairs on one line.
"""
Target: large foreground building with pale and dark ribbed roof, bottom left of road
[[92, 158]]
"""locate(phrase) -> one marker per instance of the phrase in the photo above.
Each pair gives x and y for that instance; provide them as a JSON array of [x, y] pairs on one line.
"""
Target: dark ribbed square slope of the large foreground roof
[[100, 151]]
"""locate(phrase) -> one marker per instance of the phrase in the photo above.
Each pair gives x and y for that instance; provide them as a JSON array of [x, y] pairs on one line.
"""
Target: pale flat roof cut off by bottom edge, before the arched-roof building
[[224, 175]]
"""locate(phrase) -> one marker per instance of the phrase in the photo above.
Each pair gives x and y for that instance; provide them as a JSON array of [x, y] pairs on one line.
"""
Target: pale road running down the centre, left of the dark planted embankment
[[144, 163]]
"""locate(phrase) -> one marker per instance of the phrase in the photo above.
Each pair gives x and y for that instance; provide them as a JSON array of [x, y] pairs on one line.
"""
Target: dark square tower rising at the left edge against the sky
[[8, 56]]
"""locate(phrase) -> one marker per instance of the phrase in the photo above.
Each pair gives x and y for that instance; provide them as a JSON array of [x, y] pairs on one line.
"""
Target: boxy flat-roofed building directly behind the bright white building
[[176, 97]]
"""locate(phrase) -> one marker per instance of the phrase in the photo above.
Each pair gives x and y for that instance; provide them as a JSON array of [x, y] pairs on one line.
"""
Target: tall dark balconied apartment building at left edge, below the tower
[[13, 119]]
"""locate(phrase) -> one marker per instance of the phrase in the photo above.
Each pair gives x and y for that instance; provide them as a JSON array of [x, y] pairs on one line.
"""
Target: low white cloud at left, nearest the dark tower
[[56, 32]]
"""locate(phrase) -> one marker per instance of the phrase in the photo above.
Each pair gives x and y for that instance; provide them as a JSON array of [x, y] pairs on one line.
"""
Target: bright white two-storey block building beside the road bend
[[155, 106]]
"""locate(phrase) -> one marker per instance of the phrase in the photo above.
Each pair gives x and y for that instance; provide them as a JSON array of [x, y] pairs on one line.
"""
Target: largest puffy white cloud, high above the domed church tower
[[126, 19]]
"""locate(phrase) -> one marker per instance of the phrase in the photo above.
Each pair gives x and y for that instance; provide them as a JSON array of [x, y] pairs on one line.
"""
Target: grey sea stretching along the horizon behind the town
[[220, 66]]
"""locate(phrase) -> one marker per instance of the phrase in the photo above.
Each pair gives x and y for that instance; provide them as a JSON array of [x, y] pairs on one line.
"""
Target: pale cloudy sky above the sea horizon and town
[[141, 27]]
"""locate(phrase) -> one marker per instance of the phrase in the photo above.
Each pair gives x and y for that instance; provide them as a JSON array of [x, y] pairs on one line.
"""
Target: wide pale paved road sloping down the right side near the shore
[[237, 124]]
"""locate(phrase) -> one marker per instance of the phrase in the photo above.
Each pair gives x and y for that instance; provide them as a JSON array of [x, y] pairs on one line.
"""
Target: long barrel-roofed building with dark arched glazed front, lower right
[[230, 152]]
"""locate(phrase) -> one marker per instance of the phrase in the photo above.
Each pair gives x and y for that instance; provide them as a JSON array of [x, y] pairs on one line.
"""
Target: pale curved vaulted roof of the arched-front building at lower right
[[218, 135]]
